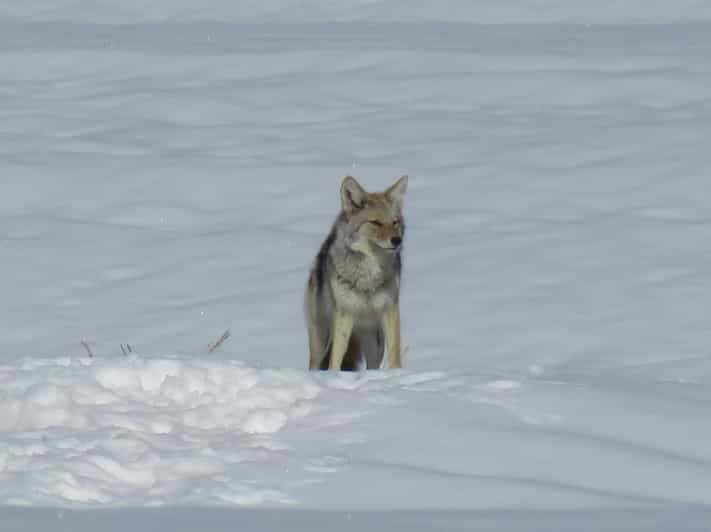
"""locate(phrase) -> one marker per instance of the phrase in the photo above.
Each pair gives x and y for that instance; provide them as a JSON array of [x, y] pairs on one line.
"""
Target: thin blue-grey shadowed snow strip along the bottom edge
[[676, 518]]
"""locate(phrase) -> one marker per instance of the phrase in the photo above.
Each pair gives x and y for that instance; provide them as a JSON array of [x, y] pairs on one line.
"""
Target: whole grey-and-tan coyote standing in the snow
[[352, 296]]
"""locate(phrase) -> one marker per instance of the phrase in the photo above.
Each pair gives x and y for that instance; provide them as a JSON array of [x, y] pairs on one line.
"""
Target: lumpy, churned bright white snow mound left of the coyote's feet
[[142, 431]]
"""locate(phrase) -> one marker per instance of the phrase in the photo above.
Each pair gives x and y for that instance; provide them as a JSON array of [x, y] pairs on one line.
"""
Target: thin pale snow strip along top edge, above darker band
[[409, 11]]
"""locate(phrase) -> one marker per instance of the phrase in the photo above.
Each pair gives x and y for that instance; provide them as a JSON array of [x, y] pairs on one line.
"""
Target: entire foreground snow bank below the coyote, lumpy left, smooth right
[[135, 431]]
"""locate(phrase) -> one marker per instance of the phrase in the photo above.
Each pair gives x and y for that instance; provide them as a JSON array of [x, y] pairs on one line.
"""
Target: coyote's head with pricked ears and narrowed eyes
[[374, 222]]
